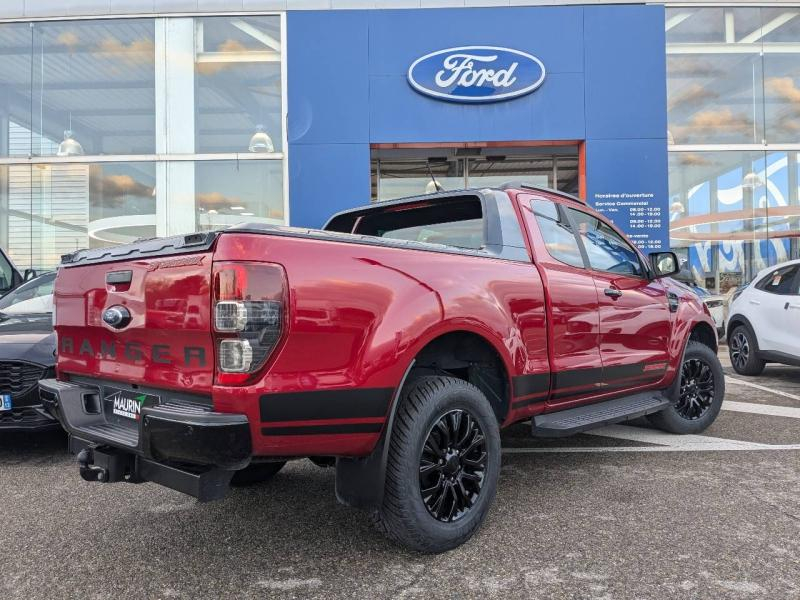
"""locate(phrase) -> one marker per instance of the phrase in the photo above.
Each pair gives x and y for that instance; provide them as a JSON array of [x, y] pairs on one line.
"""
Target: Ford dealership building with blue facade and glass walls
[[123, 119]]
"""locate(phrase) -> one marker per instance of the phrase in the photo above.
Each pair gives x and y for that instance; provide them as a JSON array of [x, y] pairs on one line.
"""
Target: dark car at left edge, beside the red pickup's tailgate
[[27, 354]]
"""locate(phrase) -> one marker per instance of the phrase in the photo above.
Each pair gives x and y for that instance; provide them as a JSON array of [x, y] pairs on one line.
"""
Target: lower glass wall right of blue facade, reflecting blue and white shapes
[[733, 213]]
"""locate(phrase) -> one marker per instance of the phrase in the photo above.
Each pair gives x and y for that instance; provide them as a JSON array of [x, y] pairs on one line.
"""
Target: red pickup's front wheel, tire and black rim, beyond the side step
[[698, 393]]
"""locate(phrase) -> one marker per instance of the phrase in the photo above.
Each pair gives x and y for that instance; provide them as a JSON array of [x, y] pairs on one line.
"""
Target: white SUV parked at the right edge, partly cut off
[[764, 321]]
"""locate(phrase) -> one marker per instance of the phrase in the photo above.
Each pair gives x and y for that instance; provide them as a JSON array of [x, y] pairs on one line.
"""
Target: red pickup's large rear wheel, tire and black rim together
[[435, 413]]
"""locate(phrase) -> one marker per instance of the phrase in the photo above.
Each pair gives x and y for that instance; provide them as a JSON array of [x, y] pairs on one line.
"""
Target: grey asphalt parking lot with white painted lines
[[625, 512]]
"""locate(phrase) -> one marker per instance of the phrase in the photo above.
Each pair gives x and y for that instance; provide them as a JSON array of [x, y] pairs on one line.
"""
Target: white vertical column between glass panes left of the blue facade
[[174, 88]]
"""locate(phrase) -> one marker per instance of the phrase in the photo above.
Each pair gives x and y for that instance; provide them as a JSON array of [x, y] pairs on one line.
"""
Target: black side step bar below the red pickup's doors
[[575, 420]]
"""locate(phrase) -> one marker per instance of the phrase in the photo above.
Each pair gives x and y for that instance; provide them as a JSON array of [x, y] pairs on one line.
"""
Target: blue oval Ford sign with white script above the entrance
[[476, 74]]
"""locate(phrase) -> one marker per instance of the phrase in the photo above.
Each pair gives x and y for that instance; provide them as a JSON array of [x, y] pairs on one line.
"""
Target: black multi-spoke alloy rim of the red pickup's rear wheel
[[452, 466]]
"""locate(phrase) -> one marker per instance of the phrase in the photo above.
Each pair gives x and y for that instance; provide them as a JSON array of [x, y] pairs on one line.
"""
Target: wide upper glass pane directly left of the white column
[[92, 88]]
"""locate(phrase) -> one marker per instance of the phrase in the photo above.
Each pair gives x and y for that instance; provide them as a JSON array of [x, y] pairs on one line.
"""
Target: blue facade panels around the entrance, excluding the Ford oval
[[605, 84]]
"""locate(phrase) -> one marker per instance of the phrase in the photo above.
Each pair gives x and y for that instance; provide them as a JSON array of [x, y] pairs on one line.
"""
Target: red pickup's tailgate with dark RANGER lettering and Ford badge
[[161, 290]]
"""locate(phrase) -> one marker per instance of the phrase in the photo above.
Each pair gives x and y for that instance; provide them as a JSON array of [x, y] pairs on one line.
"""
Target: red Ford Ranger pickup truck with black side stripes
[[393, 344]]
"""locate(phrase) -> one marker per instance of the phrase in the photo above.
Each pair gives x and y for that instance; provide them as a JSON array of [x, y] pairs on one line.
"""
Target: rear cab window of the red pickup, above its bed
[[459, 224]]
